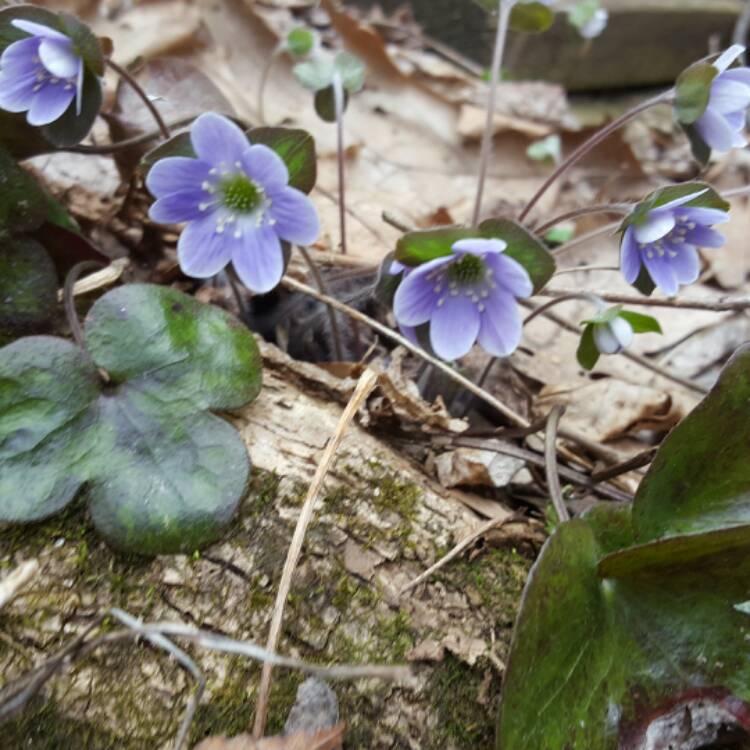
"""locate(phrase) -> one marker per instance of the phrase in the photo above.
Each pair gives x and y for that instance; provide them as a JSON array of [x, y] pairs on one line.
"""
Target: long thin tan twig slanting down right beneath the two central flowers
[[516, 419]]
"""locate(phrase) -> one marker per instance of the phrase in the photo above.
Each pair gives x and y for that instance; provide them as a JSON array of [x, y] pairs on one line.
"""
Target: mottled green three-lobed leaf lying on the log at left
[[162, 473]]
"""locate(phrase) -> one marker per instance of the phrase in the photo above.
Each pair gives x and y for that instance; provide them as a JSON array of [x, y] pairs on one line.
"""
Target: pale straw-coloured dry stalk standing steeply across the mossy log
[[366, 383]]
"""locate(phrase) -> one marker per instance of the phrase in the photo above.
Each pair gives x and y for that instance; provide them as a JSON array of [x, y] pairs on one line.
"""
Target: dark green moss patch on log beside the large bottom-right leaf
[[454, 690]]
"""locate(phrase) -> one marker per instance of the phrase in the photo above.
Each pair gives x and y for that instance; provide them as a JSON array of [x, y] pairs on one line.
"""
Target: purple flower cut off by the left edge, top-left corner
[[41, 74]]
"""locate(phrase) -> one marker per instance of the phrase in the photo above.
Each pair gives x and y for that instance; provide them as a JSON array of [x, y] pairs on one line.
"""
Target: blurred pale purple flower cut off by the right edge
[[721, 126]]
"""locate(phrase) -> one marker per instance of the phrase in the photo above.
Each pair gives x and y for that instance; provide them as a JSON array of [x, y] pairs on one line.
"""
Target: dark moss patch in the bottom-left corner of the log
[[48, 729]]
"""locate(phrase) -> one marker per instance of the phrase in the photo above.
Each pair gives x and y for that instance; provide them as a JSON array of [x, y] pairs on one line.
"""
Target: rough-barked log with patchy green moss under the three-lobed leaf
[[381, 523]]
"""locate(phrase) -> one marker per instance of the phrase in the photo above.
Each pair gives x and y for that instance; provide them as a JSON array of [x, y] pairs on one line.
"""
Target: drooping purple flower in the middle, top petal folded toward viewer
[[466, 297]]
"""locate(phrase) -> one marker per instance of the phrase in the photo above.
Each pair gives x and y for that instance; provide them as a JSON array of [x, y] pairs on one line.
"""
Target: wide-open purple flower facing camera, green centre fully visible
[[237, 202]]
